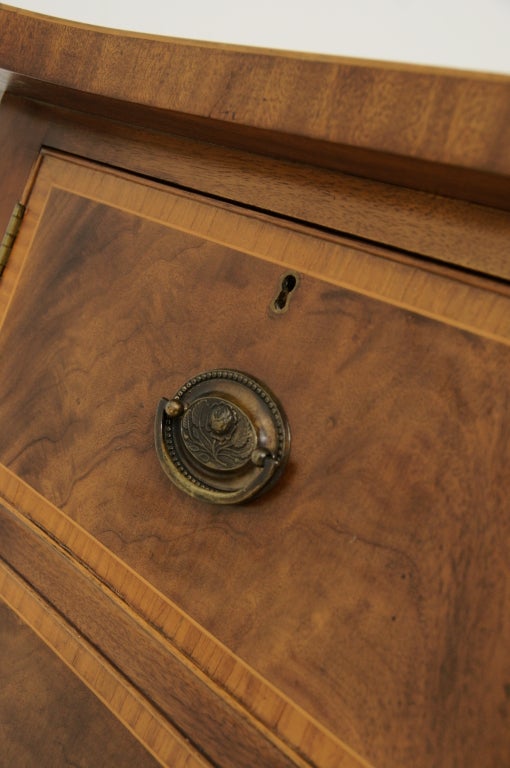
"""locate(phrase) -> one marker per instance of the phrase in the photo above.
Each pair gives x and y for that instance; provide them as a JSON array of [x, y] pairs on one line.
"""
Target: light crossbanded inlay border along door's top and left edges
[[474, 305]]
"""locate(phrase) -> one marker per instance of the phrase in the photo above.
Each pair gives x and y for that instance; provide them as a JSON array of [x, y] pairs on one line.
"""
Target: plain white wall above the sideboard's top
[[465, 34]]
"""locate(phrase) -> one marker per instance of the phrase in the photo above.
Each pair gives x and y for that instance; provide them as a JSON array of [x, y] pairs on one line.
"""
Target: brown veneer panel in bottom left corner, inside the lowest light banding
[[49, 719]]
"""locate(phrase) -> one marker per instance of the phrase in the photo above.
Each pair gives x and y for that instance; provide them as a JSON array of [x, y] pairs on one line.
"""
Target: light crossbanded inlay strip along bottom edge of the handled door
[[223, 672]]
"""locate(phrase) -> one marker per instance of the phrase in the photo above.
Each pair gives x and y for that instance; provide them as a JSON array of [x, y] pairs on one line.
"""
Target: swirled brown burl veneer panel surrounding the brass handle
[[371, 584]]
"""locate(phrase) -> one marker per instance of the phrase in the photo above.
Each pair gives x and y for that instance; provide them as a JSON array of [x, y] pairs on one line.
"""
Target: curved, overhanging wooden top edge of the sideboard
[[444, 131]]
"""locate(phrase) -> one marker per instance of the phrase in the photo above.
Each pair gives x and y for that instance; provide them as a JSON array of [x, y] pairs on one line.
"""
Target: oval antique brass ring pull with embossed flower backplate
[[222, 438]]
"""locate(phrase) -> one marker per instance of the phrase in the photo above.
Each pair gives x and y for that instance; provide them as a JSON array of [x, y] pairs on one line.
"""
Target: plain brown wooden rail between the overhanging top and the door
[[430, 226]]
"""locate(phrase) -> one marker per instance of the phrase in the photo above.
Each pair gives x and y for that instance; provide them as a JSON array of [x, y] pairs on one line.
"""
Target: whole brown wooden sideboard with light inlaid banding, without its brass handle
[[357, 614]]
